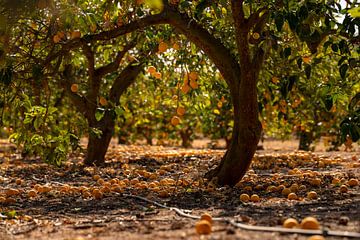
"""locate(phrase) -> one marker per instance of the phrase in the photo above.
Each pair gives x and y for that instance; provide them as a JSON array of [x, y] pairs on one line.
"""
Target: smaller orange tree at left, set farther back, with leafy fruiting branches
[[53, 54]]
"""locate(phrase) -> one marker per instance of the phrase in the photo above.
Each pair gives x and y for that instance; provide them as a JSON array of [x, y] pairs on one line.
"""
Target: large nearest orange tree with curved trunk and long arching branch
[[237, 36]]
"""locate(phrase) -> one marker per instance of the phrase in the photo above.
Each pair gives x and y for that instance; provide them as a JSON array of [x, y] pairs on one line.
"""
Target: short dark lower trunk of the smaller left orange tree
[[98, 145]]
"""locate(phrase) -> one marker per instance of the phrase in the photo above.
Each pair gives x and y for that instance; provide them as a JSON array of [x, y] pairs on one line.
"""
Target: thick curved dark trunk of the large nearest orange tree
[[245, 136]]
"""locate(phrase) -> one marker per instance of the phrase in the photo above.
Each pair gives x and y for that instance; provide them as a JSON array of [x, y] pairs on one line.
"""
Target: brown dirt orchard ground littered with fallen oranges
[[38, 201]]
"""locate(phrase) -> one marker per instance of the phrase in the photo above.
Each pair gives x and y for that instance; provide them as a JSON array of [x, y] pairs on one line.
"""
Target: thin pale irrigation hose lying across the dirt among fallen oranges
[[242, 226]]
